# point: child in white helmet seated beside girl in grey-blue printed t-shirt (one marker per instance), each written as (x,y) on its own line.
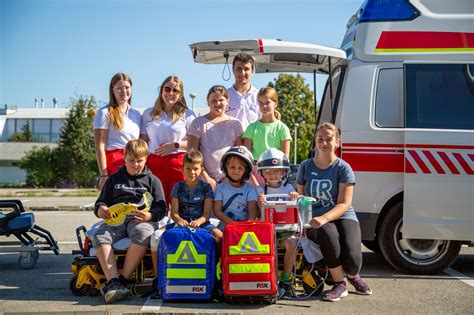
(274,166)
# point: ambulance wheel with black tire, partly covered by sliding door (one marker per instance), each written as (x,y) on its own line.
(415,256)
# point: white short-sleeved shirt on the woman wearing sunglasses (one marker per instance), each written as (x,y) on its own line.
(162,129)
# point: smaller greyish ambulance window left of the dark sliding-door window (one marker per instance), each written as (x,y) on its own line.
(388,104)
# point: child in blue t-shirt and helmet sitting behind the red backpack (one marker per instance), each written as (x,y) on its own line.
(235,199)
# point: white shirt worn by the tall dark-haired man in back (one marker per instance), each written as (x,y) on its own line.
(243,107)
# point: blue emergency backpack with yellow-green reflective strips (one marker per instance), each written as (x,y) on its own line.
(186,264)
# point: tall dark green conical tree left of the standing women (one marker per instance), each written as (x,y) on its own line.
(77,162)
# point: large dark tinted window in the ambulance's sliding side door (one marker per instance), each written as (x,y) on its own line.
(439,96)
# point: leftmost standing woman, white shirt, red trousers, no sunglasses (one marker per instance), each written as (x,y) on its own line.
(114,125)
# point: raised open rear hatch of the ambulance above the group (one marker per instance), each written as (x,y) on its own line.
(271,55)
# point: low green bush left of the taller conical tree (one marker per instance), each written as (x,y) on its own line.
(40,166)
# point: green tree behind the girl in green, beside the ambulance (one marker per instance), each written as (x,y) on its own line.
(296,105)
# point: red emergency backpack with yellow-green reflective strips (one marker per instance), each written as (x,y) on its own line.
(249,262)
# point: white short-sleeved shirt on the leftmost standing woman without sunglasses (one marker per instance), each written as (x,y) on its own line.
(118,139)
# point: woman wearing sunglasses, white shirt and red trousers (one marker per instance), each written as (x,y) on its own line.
(164,127)
